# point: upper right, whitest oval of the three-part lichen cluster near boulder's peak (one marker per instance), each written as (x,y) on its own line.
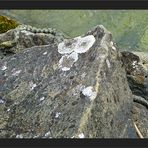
(84,44)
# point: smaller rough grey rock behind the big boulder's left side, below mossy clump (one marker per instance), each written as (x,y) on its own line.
(15,40)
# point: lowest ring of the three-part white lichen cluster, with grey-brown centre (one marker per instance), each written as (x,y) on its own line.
(67,61)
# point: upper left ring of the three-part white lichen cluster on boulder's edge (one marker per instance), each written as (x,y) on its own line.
(67,46)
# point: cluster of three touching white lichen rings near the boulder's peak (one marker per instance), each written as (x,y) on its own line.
(71,47)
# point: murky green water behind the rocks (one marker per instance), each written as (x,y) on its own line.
(129,27)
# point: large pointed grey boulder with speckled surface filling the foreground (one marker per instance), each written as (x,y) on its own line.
(90,100)
